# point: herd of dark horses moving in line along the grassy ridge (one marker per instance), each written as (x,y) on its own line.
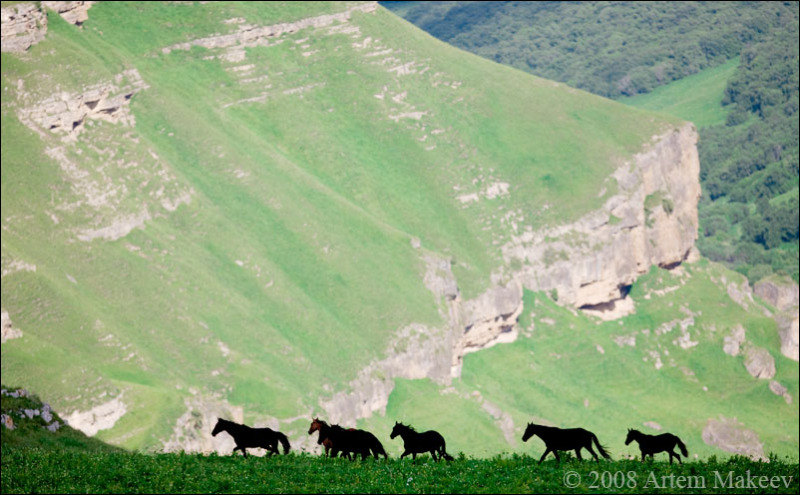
(351,442)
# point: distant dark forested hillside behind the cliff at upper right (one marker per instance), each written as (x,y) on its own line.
(677,58)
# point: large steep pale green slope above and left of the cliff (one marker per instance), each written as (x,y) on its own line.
(240,228)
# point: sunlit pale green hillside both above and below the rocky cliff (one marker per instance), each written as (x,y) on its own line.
(235,204)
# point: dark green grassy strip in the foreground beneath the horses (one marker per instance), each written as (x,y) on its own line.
(31,470)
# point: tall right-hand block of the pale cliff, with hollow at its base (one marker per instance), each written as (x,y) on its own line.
(651,221)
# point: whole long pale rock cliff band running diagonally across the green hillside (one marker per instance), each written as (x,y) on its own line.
(588,264)
